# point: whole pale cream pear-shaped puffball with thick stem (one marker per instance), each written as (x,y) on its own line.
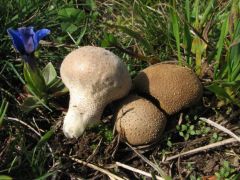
(95,77)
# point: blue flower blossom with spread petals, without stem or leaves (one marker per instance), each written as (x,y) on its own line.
(25,40)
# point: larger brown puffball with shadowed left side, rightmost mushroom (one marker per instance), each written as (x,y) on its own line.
(175,87)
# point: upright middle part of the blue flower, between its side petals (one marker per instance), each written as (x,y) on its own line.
(27,35)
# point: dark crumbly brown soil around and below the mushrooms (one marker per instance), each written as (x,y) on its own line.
(93,148)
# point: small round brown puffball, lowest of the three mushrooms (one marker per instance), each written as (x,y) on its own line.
(138,121)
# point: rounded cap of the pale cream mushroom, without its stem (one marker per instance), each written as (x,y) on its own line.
(97,72)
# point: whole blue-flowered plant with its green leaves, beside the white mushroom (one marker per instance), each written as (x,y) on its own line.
(41,85)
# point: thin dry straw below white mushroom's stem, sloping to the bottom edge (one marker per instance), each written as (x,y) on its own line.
(104,171)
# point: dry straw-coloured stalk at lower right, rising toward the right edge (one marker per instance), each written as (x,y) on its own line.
(203,148)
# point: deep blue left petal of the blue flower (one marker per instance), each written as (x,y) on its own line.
(17,40)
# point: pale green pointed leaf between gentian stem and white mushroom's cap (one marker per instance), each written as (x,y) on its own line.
(49,73)
